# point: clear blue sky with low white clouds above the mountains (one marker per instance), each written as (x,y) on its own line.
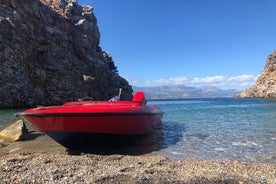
(223,43)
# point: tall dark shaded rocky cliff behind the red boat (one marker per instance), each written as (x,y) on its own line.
(47,49)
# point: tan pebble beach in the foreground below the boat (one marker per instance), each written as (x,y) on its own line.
(148,168)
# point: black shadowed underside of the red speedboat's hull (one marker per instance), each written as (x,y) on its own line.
(107,144)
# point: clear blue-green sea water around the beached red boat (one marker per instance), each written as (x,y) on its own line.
(221,129)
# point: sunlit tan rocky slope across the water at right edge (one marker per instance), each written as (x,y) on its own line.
(265,86)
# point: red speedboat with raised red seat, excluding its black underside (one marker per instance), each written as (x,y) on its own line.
(99,117)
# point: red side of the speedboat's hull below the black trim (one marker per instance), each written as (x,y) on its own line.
(106,123)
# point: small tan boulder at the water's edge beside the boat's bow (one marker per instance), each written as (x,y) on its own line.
(15,132)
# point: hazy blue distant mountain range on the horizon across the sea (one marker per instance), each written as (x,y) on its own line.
(181,91)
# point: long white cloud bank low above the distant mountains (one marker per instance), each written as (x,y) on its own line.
(238,82)
